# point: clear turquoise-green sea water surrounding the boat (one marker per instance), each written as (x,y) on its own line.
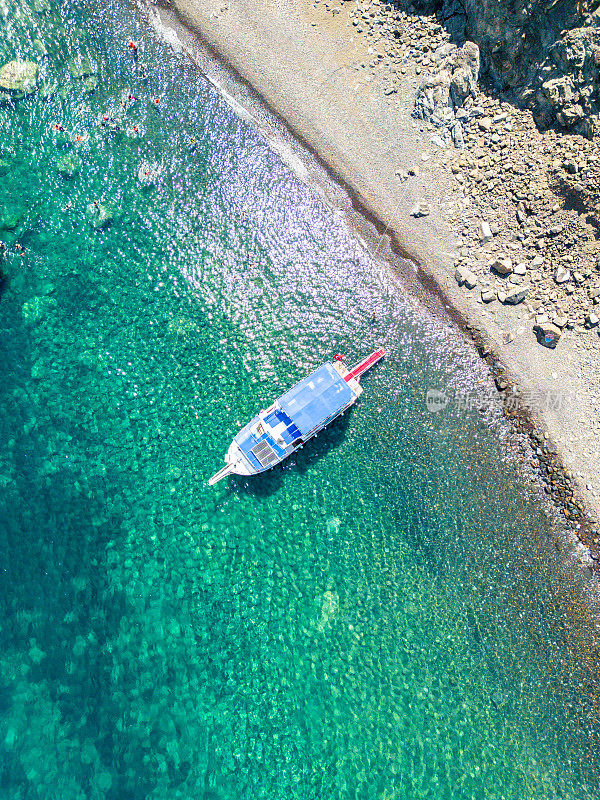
(380,618)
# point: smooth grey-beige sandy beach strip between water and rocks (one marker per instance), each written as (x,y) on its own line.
(317,71)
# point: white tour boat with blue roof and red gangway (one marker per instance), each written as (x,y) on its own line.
(295,417)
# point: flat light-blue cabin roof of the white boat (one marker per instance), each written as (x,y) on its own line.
(316,398)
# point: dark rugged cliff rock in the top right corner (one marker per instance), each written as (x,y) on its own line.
(544,53)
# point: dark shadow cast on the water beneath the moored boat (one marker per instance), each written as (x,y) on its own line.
(267,483)
